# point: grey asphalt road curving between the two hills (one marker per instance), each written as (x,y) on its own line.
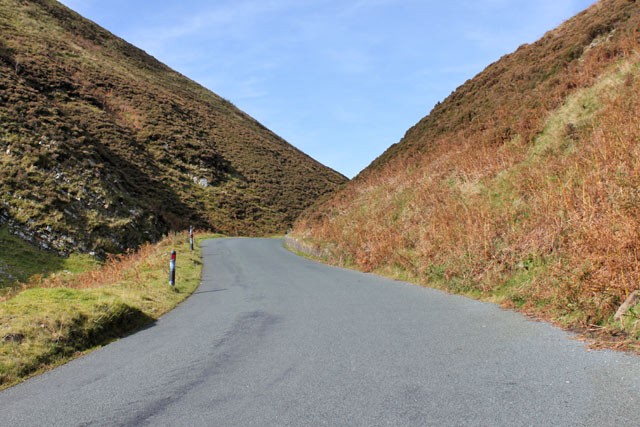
(272,339)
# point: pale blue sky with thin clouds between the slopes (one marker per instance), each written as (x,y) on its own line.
(341,80)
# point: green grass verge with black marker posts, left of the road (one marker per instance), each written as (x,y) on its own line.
(50,321)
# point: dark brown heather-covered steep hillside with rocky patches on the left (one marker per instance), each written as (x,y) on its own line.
(102,147)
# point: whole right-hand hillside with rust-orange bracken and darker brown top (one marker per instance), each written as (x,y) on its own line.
(521,187)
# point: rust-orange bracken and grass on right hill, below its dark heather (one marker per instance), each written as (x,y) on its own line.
(546,223)
